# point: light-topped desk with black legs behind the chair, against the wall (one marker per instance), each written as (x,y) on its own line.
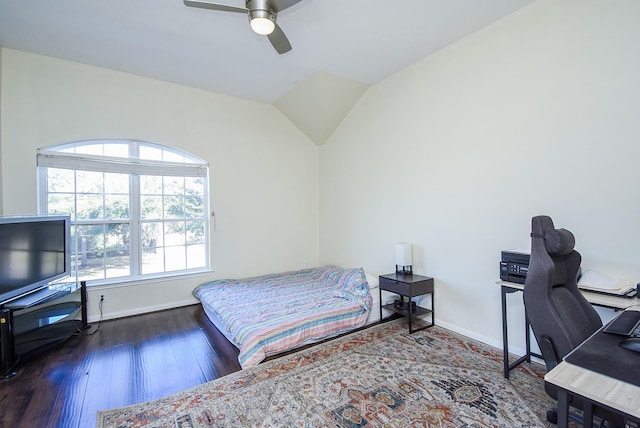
(597,299)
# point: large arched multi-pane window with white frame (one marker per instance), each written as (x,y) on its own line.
(137,209)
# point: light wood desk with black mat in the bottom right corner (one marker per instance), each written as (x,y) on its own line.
(596,389)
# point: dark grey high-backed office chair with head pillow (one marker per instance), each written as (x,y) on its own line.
(560,316)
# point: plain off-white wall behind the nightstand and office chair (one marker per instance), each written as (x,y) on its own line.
(535,114)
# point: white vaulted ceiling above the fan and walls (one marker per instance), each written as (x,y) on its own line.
(340,47)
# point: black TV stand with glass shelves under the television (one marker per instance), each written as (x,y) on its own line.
(33,324)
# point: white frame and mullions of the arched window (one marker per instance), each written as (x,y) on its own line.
(59,156)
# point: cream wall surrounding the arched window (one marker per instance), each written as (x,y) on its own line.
(263,170)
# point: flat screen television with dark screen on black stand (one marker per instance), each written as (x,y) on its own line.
(34,250)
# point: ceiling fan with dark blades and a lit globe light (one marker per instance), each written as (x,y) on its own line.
(262,17)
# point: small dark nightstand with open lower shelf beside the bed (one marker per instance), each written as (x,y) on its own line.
(408,286)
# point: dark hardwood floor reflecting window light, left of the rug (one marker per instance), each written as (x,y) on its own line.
(118,363)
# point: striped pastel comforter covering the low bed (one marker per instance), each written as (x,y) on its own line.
(270,314)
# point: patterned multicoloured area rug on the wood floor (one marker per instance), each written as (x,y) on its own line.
(378,377)
